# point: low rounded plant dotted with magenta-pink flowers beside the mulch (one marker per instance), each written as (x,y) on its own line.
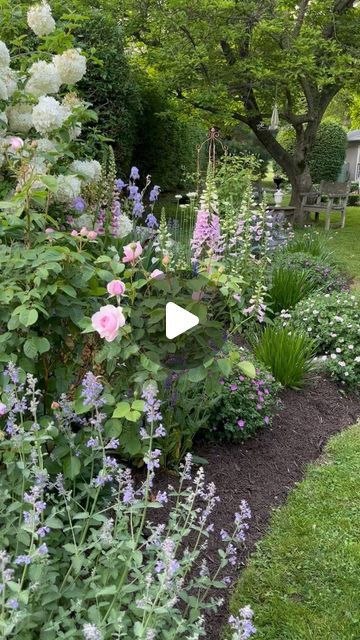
(245,406)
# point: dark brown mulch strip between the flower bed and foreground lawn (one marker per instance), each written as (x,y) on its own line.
(265,468)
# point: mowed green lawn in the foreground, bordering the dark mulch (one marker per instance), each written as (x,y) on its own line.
(303,582)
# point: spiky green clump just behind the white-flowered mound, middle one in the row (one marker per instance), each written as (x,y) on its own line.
(288,287)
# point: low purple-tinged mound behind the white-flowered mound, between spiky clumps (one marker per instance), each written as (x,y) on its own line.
(325,275)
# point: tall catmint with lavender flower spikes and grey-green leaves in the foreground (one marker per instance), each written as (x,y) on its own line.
(81,556)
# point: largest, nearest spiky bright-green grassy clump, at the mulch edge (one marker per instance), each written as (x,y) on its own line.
(288,355)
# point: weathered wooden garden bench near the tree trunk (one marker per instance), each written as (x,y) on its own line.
(330,197)
